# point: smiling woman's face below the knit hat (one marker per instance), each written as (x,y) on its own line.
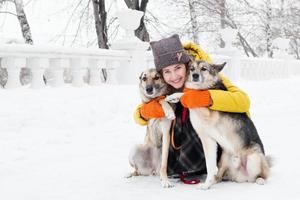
(175,75)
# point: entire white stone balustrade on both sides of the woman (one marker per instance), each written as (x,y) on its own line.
(123,62)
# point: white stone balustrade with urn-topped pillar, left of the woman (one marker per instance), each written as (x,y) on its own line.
(123,62)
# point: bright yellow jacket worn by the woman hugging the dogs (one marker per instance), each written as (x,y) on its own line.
(233,100)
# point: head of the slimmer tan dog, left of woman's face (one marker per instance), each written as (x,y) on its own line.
(152,85)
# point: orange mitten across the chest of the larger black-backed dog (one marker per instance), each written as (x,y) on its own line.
(195,98)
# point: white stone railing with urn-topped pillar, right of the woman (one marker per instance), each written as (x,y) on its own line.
(240,67)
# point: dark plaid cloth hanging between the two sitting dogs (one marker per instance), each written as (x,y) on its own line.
(187,156)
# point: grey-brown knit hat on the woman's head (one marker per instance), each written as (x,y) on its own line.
(168,51)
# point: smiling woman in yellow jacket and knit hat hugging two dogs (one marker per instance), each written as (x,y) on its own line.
(186,154)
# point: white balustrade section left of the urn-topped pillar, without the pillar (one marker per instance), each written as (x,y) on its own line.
(57,59)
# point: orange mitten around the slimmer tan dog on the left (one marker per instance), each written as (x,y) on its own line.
(152,109)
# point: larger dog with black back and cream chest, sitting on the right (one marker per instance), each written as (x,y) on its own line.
(243,158)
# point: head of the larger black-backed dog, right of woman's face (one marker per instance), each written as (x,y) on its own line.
(203,75)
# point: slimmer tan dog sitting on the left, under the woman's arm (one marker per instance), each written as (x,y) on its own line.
(151,157)
